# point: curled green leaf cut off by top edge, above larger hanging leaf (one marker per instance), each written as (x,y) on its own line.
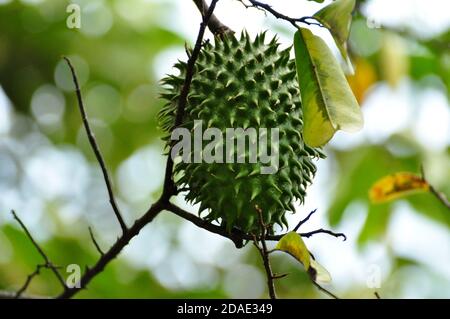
(337,18)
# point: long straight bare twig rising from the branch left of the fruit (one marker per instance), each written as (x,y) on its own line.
(95,148)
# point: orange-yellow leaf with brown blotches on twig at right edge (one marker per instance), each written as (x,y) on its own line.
(397,185)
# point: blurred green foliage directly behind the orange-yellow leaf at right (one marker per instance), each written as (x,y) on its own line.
(374,162)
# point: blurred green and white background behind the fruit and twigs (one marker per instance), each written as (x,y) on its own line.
(124,47)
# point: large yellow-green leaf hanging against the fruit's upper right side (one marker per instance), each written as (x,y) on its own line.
(328,102)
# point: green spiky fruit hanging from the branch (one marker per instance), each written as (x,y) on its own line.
(242,84)
